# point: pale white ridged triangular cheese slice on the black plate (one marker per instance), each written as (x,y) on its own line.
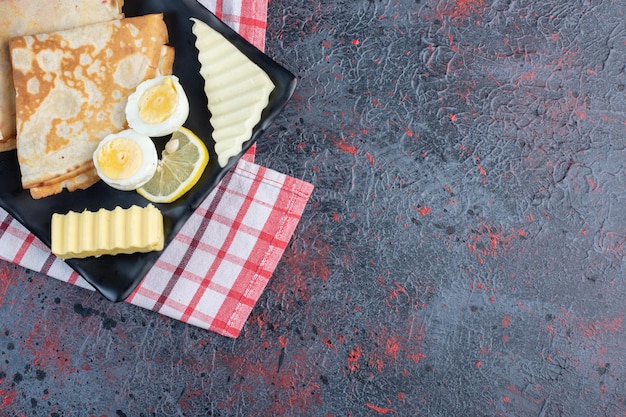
(237,90)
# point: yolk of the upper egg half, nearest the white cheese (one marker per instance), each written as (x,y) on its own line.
(158,102)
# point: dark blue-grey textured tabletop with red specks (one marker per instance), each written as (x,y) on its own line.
(462,254)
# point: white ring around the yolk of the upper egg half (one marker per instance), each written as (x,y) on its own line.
(172,123)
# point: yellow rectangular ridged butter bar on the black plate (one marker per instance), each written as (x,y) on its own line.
(107,232)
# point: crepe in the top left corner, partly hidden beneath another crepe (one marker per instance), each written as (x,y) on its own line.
(25,17)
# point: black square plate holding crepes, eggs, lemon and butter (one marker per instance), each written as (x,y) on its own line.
(117,276)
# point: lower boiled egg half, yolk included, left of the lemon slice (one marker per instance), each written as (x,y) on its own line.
(126,160)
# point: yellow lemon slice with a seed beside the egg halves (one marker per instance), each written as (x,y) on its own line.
(182,163)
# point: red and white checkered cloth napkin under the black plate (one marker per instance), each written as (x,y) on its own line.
(215,269)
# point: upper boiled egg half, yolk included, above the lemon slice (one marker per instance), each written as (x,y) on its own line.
(158,106)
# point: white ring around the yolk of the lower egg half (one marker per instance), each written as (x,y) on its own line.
(148,165)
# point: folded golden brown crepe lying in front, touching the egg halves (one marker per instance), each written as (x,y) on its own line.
(72,87)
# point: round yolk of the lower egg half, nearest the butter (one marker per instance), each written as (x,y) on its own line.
(120,158)
